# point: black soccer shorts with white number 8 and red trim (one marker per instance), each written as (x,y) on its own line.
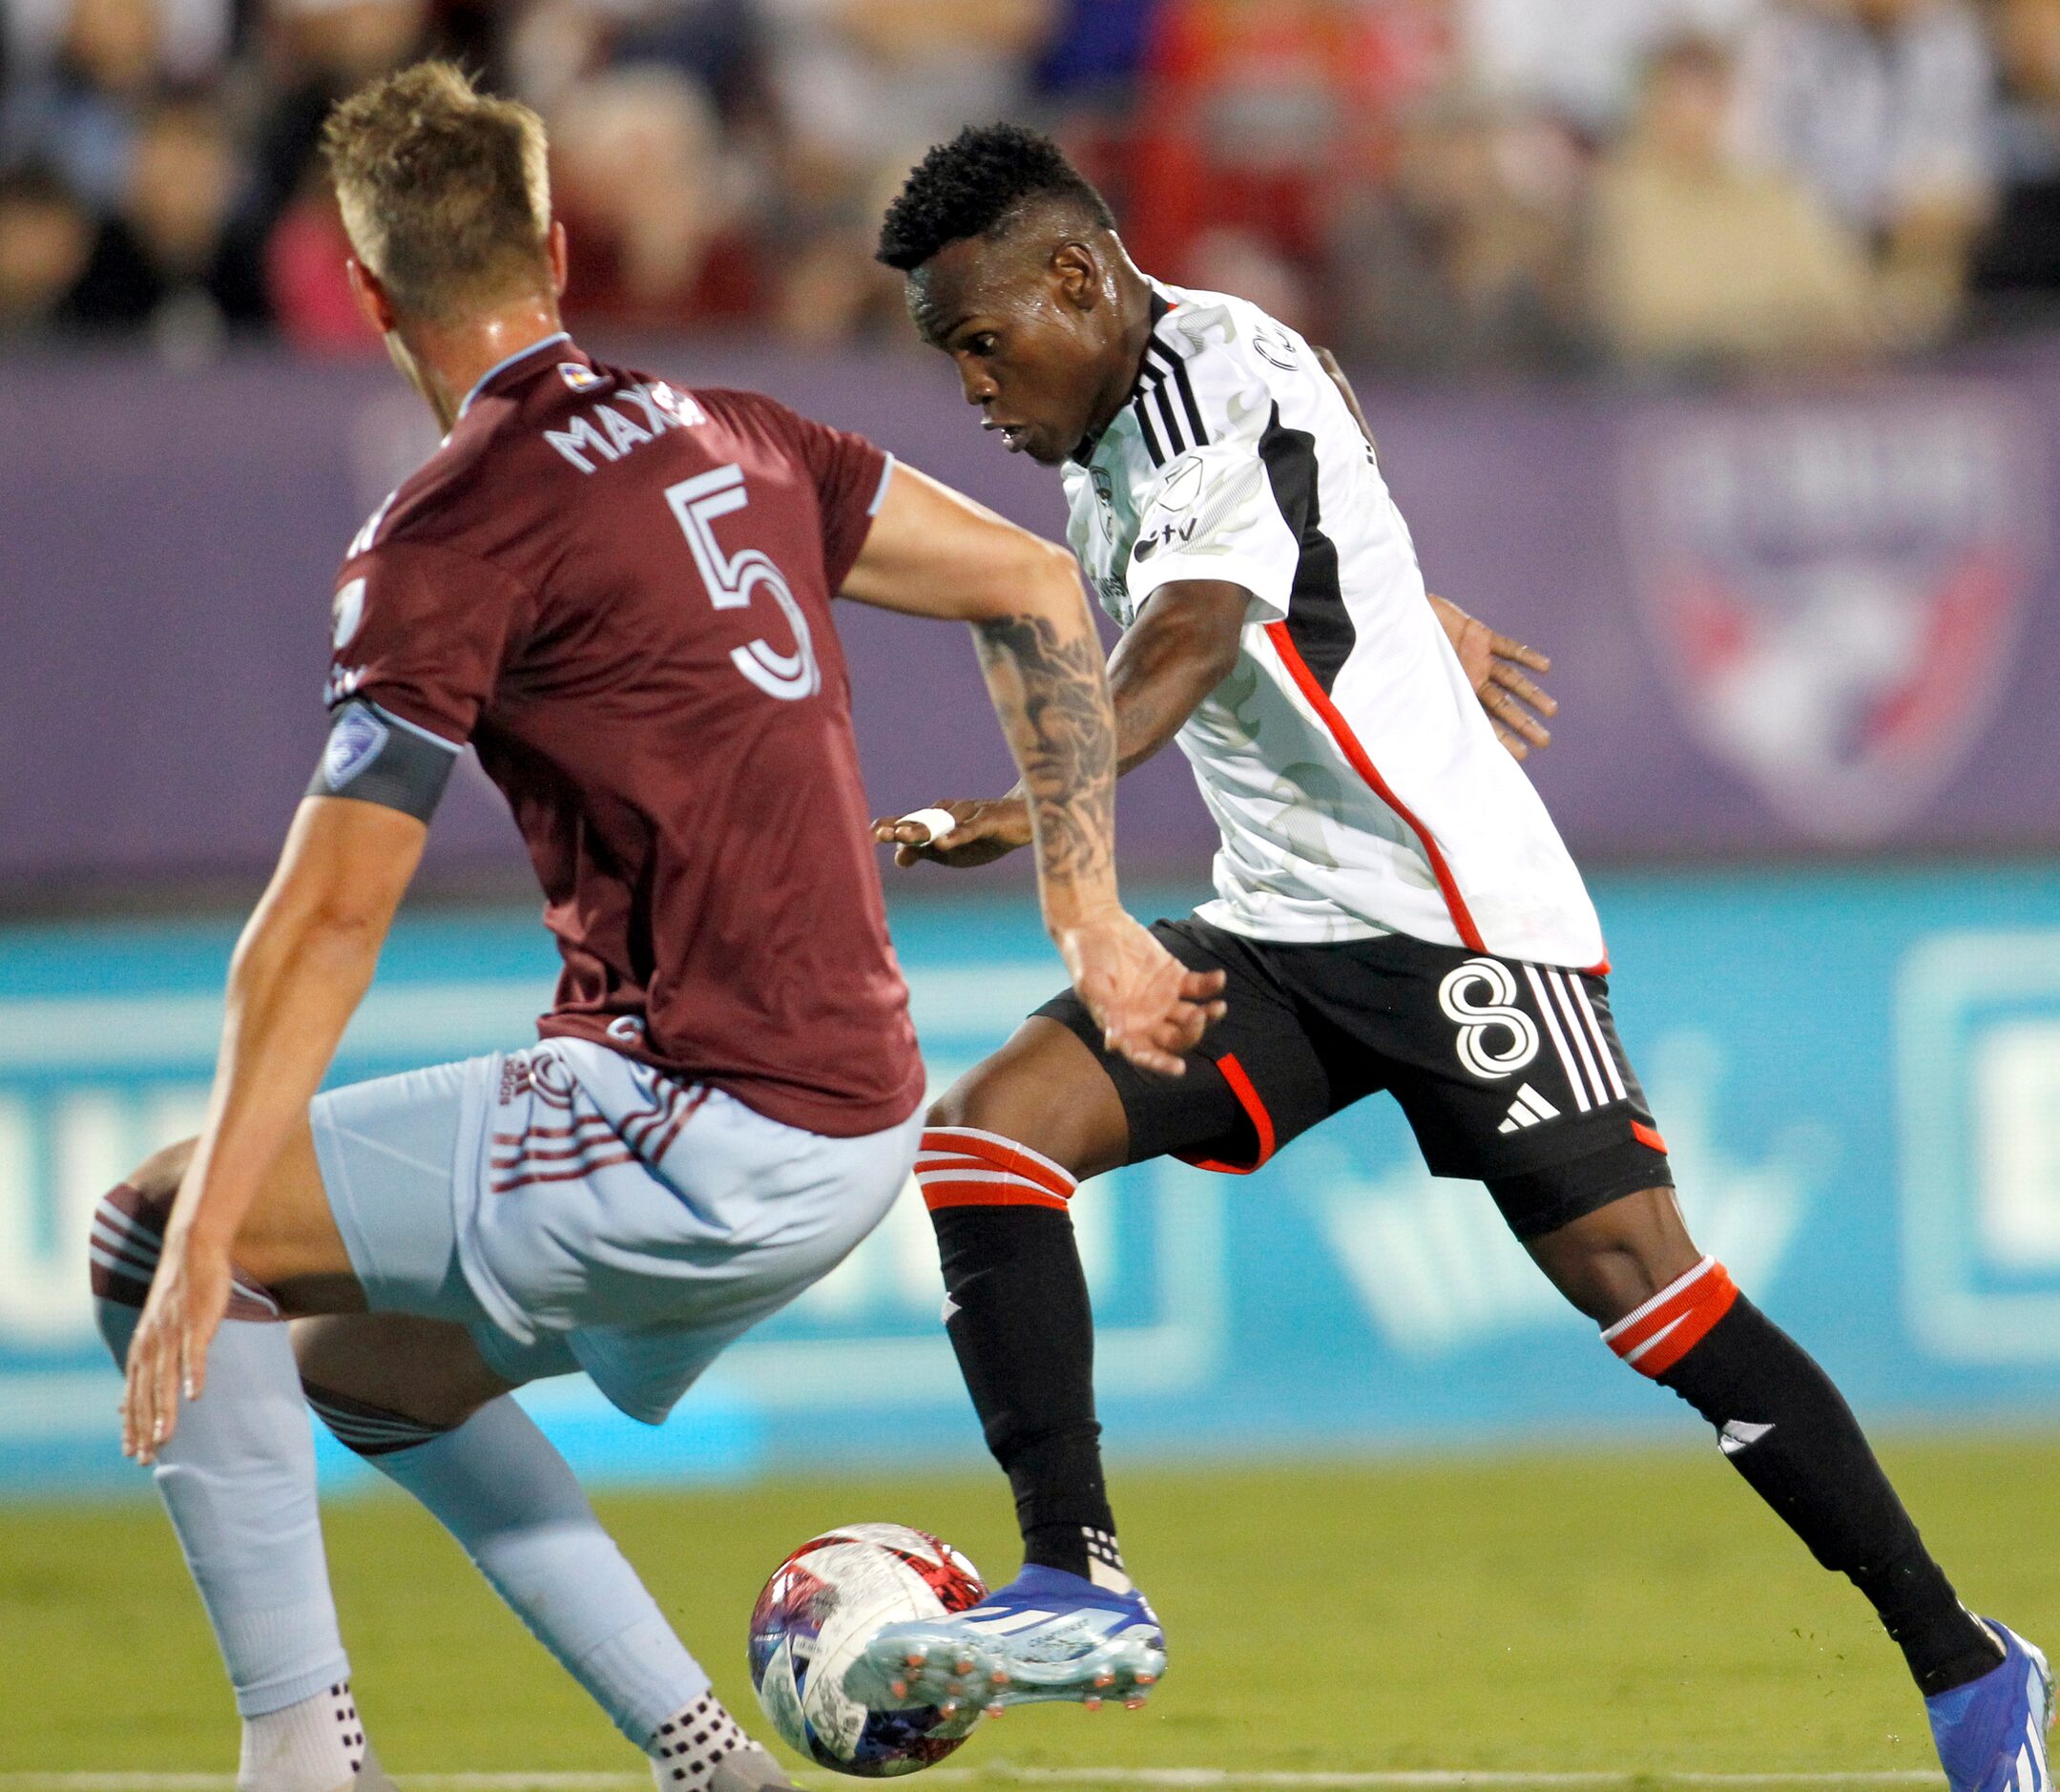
(1509,1072)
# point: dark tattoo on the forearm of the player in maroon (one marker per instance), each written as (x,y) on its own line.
(1054,701)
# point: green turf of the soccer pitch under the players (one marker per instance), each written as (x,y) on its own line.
(1604,1612)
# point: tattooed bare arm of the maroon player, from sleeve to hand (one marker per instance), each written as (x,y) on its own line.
(934,553)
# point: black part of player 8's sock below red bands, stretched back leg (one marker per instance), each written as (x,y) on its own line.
(1816,1470)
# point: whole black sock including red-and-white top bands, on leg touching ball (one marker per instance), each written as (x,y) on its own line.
(1017,1309)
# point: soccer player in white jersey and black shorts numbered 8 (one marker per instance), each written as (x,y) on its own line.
(1394,911)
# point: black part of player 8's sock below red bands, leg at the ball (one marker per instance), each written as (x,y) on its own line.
(1025,1340)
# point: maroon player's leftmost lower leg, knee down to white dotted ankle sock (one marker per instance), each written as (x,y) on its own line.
(238,1480)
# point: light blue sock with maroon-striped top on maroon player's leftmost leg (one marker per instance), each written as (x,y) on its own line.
(238,1480)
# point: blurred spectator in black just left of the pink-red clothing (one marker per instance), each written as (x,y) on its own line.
(168,261)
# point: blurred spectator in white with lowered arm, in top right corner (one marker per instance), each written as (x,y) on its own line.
(1888,112)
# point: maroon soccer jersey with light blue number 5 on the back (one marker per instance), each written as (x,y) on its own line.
(619,594)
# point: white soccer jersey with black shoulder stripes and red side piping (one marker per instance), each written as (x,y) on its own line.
(1354,778)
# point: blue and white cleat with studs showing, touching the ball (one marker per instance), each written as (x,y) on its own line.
(1043,1639)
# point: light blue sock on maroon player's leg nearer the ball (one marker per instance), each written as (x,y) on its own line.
(508,1496)
